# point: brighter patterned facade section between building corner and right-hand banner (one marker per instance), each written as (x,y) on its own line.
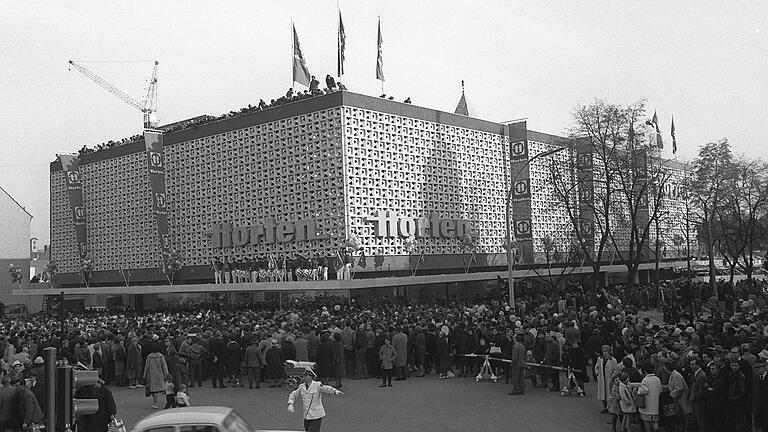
(415,168)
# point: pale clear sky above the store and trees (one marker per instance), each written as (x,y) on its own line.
(705,62)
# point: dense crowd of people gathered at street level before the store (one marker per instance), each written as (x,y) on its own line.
(703,364)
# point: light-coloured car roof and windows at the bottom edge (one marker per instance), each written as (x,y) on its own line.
(195,419)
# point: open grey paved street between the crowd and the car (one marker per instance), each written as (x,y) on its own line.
(419,404)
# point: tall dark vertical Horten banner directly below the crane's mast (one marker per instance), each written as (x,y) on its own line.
(156,169)
